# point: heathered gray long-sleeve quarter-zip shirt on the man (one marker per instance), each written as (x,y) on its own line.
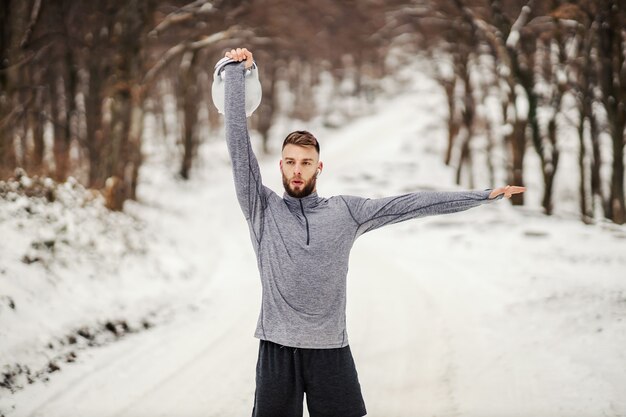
(302,245)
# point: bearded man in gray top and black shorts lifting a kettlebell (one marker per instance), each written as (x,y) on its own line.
(302,243)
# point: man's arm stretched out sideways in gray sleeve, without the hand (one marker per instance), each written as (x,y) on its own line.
(370,214)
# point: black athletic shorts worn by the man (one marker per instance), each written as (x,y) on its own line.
(327,376)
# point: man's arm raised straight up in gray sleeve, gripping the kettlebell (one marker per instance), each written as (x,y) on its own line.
(248,185)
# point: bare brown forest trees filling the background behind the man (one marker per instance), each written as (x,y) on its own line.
(78,79)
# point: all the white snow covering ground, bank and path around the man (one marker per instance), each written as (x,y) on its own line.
(499,310)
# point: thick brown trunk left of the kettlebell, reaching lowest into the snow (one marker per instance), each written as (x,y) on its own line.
(114,131)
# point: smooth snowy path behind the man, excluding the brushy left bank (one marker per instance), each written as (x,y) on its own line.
(489,312)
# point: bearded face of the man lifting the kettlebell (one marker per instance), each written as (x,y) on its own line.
(299,169)
